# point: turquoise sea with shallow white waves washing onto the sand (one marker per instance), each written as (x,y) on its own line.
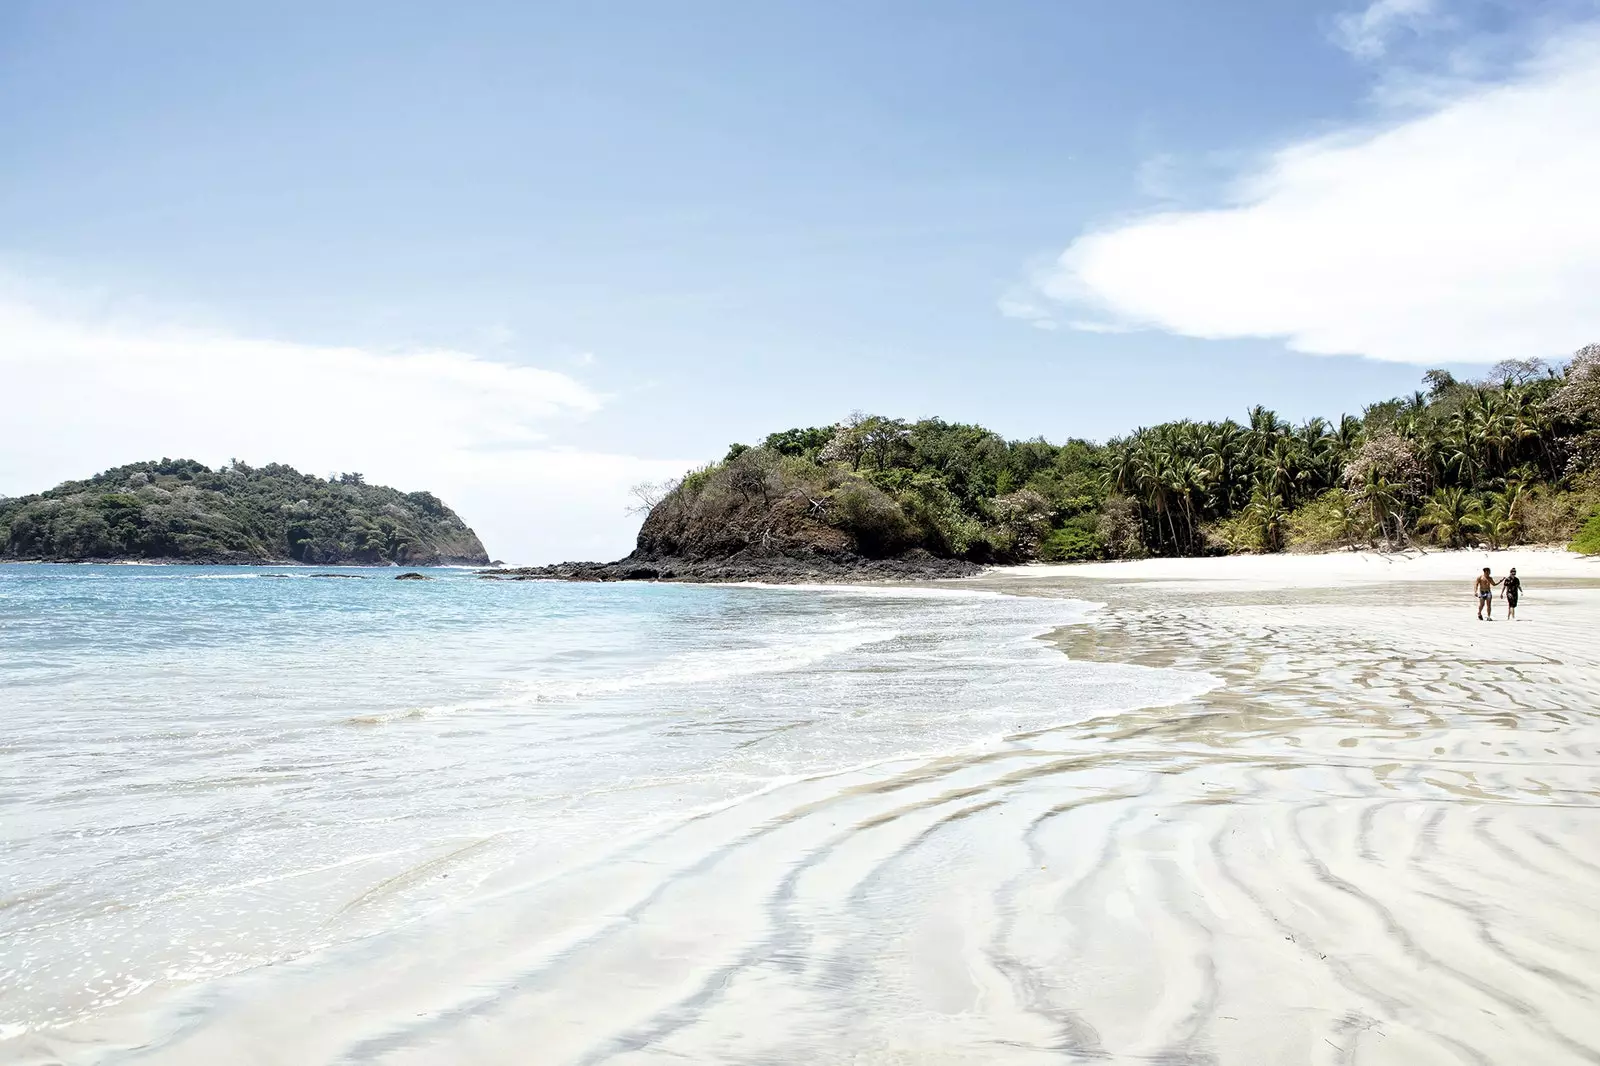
(206,771)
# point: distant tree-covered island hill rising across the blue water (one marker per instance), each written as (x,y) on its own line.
(180,510)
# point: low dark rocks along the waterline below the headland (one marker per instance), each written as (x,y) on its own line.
(772,569)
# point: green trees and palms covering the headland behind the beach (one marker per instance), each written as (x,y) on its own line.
(1513,459)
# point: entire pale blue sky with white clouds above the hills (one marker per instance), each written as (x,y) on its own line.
(529,255)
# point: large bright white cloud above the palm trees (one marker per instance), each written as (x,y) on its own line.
(1465,234)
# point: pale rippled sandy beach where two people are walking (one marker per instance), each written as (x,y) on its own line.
(1377,841)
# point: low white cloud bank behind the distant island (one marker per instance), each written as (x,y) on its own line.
(84,393)
